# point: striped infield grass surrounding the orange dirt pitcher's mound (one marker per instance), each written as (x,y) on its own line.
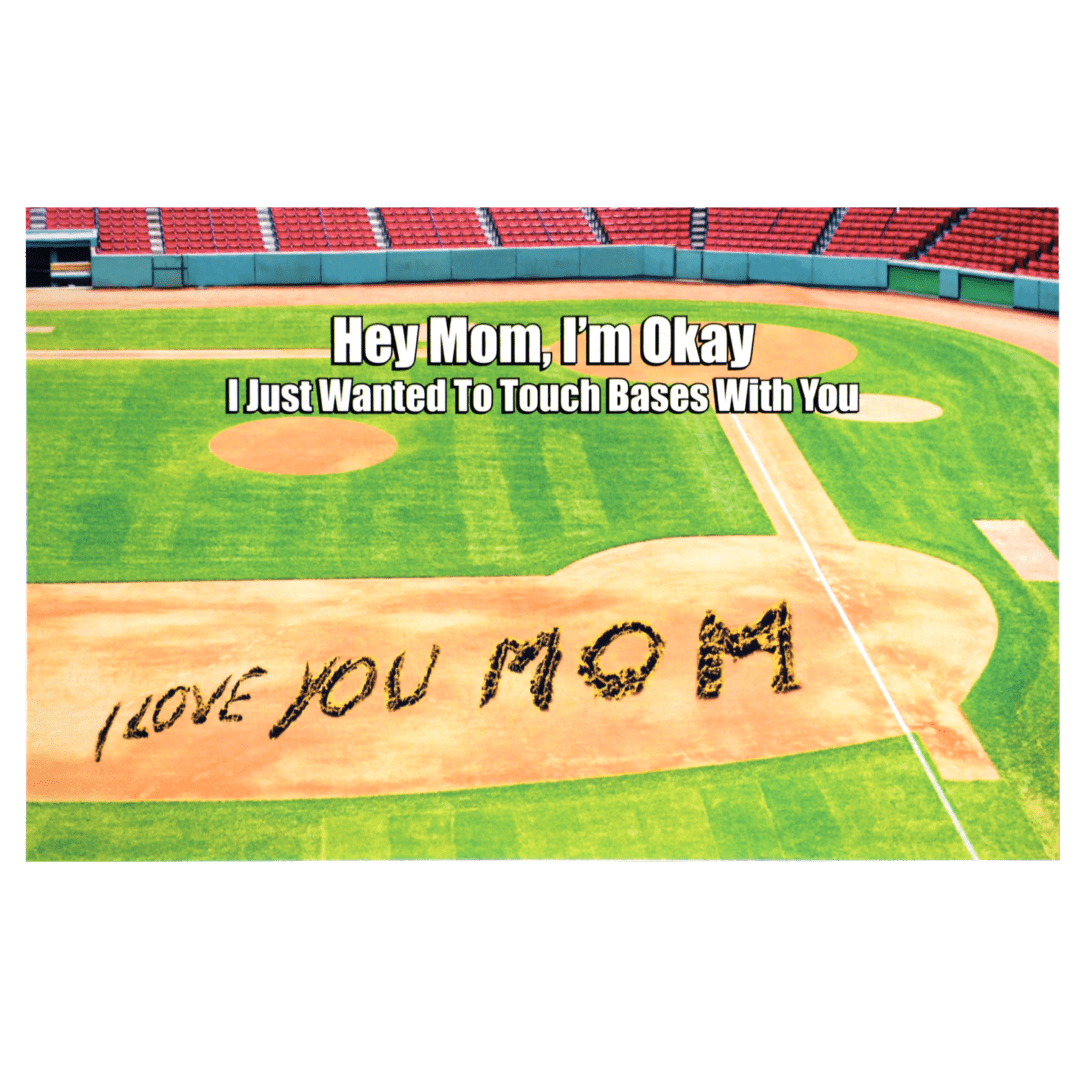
(124,487)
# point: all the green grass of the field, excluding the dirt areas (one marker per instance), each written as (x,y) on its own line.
(121,488)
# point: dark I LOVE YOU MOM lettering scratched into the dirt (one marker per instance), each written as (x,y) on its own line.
(772,633)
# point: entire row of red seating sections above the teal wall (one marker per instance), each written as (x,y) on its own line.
(1021,240)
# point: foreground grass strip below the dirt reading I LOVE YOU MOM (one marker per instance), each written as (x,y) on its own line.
(866,802)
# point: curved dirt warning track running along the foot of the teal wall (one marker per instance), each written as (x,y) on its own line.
(1030,330)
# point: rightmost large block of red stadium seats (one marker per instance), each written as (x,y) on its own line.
(1005,239)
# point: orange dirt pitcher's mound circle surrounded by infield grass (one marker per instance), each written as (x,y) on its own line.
(303,445)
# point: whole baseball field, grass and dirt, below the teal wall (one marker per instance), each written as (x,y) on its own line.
(359,613)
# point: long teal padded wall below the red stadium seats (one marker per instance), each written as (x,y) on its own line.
(531,264)
